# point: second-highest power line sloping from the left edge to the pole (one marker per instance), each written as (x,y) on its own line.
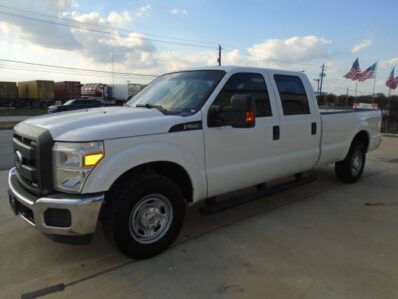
(104,32)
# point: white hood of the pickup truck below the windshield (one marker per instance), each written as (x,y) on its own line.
(104,123)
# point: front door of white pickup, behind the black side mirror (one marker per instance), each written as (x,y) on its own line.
(241,157)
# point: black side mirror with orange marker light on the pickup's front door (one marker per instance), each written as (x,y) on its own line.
(240,114)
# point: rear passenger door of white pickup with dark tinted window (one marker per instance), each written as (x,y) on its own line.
(299,121)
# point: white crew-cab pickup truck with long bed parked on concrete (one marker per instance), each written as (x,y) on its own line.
(188,136)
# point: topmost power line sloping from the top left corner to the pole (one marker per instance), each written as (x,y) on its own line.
(103,26)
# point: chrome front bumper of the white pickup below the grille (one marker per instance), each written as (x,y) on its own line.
(83,209)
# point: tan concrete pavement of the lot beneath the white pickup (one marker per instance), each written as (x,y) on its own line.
(321,240)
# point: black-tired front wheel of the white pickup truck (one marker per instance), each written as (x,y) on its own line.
(123,204)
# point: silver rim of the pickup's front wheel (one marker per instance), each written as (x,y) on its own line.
(150,218)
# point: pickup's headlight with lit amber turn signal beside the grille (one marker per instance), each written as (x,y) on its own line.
(73,162)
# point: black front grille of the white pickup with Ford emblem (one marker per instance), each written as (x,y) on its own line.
(33,158)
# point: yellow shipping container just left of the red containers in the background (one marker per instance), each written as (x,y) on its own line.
(36,90)
